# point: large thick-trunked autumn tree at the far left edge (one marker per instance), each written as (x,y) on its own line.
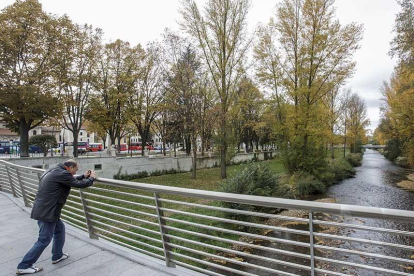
(28,54)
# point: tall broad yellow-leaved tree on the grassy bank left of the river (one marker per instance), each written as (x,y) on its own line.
(314,56)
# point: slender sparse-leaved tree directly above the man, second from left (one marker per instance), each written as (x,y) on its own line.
(76,73)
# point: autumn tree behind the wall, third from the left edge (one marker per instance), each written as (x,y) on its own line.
(115,82)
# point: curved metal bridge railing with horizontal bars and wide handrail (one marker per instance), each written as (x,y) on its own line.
(229,234)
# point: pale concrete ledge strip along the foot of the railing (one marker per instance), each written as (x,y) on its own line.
(134,256)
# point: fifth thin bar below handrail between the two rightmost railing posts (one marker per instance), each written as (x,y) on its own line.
(239,253)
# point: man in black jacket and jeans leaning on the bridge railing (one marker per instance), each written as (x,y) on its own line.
(54,189)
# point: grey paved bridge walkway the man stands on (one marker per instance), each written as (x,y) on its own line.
(87,257)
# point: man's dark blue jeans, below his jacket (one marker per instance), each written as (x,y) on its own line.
(47,231)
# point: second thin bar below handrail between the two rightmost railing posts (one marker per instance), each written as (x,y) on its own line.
(250,224)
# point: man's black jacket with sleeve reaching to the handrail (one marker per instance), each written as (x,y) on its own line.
(54,188)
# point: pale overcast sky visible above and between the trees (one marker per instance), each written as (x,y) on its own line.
(140,21)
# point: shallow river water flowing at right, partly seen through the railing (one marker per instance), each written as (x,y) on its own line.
(375,185)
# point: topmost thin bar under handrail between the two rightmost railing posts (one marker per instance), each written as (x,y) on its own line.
(234,211)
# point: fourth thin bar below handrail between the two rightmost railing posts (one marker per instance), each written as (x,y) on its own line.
(259,247)
